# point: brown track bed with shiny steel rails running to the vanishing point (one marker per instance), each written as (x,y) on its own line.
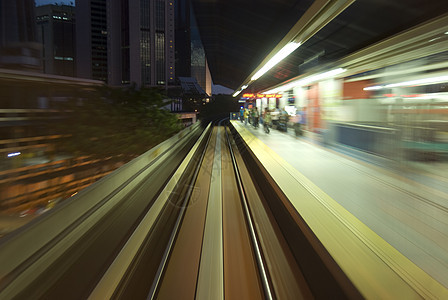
(223,242)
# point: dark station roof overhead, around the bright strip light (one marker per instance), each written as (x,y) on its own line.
(239,34)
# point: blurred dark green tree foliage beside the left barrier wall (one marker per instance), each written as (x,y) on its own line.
(117,122)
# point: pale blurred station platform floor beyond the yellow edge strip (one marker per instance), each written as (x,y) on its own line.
(406,208)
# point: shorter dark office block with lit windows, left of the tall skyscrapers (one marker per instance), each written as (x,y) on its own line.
(56,33)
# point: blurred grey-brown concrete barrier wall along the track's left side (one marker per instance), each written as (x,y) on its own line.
(19,246)
